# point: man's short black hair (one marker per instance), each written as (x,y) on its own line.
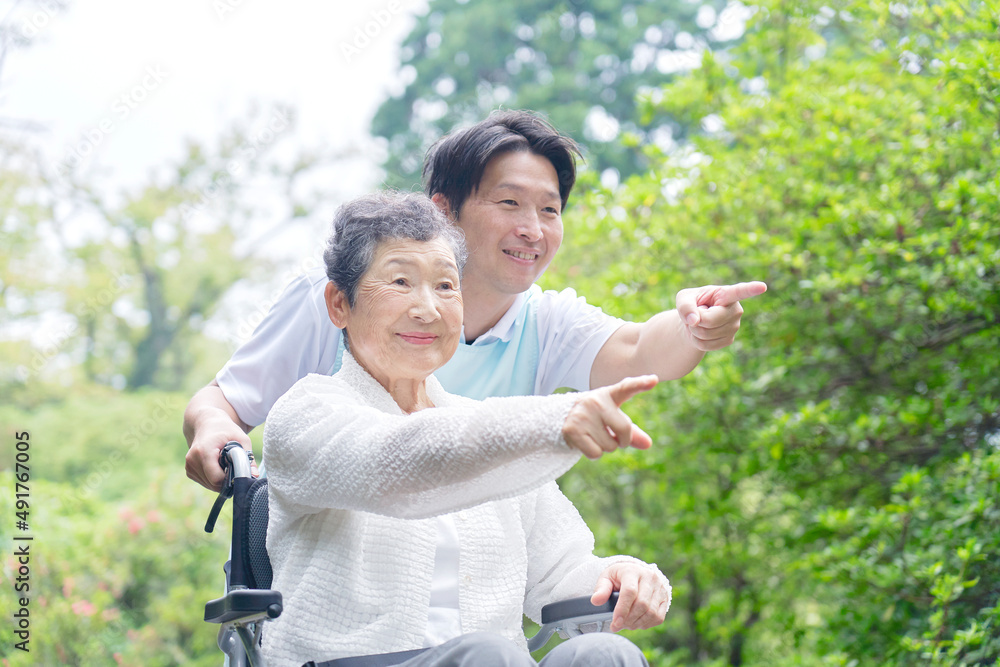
(454,165)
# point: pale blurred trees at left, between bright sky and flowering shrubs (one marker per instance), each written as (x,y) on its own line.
(123,301)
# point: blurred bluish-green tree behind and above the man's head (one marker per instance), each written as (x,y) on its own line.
(565,59)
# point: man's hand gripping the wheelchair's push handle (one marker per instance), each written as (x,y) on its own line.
(209,423)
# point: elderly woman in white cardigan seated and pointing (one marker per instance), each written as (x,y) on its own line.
(404,517)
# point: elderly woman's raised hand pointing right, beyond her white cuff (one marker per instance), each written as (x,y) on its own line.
(596,424)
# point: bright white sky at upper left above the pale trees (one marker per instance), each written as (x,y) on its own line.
(136,78)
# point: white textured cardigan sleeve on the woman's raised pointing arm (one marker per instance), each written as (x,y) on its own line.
(326,447)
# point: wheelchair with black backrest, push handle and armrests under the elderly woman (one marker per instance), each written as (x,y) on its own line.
(249,601)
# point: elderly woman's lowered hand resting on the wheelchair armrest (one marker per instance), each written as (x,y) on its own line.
(643,595)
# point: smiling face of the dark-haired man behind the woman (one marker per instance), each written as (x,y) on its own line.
(512,224)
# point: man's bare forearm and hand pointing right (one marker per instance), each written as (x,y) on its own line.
(670,344)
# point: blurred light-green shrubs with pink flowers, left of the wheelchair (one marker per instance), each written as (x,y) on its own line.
(121,566)
